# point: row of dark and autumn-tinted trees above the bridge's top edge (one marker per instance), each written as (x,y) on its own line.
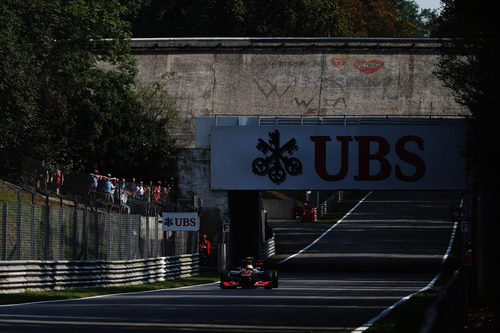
(282,18)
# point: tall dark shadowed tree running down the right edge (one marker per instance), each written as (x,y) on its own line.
(469,66)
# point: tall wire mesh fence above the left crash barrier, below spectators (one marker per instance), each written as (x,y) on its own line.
(31,232)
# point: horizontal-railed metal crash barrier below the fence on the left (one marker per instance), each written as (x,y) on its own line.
(20,275)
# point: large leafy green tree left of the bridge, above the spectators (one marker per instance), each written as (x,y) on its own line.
(68,86)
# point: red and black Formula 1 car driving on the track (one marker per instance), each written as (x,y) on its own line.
(251,274)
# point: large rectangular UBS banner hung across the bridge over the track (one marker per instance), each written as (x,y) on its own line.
(427,156)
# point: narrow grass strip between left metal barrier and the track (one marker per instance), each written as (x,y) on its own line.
(206,276)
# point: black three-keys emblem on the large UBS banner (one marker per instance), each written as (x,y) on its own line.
(277,160)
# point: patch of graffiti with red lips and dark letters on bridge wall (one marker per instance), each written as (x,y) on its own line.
(351,77)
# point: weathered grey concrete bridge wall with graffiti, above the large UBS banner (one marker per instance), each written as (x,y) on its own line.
(308,77)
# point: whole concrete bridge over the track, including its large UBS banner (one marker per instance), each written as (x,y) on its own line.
(374,92)
